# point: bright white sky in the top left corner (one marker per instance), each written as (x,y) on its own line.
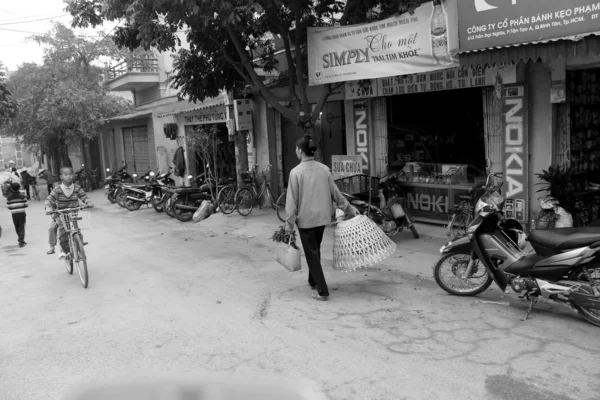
(32,17)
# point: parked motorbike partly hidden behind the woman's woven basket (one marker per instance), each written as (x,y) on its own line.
(391,215)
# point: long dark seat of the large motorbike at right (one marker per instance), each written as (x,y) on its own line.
(564,238)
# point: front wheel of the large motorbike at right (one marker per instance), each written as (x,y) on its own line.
(458,264)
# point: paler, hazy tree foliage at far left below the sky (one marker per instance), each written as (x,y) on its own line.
(63,100)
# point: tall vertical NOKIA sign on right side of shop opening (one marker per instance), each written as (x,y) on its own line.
(515,152)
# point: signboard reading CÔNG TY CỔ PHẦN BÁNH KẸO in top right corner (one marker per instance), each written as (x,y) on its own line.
(492,23)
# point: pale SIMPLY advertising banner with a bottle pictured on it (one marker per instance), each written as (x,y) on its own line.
(405,44)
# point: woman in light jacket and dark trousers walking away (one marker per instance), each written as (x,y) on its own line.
(309,205)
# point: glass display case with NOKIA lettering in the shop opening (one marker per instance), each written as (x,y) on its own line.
(433,191)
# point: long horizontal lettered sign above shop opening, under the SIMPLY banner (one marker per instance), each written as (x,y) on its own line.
(454,78)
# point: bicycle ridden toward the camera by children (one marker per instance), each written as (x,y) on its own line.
(76,255)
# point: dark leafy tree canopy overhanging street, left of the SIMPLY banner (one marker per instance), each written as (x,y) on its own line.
(229,39)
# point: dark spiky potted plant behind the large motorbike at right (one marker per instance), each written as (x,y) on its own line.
(556,182)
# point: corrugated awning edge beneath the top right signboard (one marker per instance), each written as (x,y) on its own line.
(570,47)
